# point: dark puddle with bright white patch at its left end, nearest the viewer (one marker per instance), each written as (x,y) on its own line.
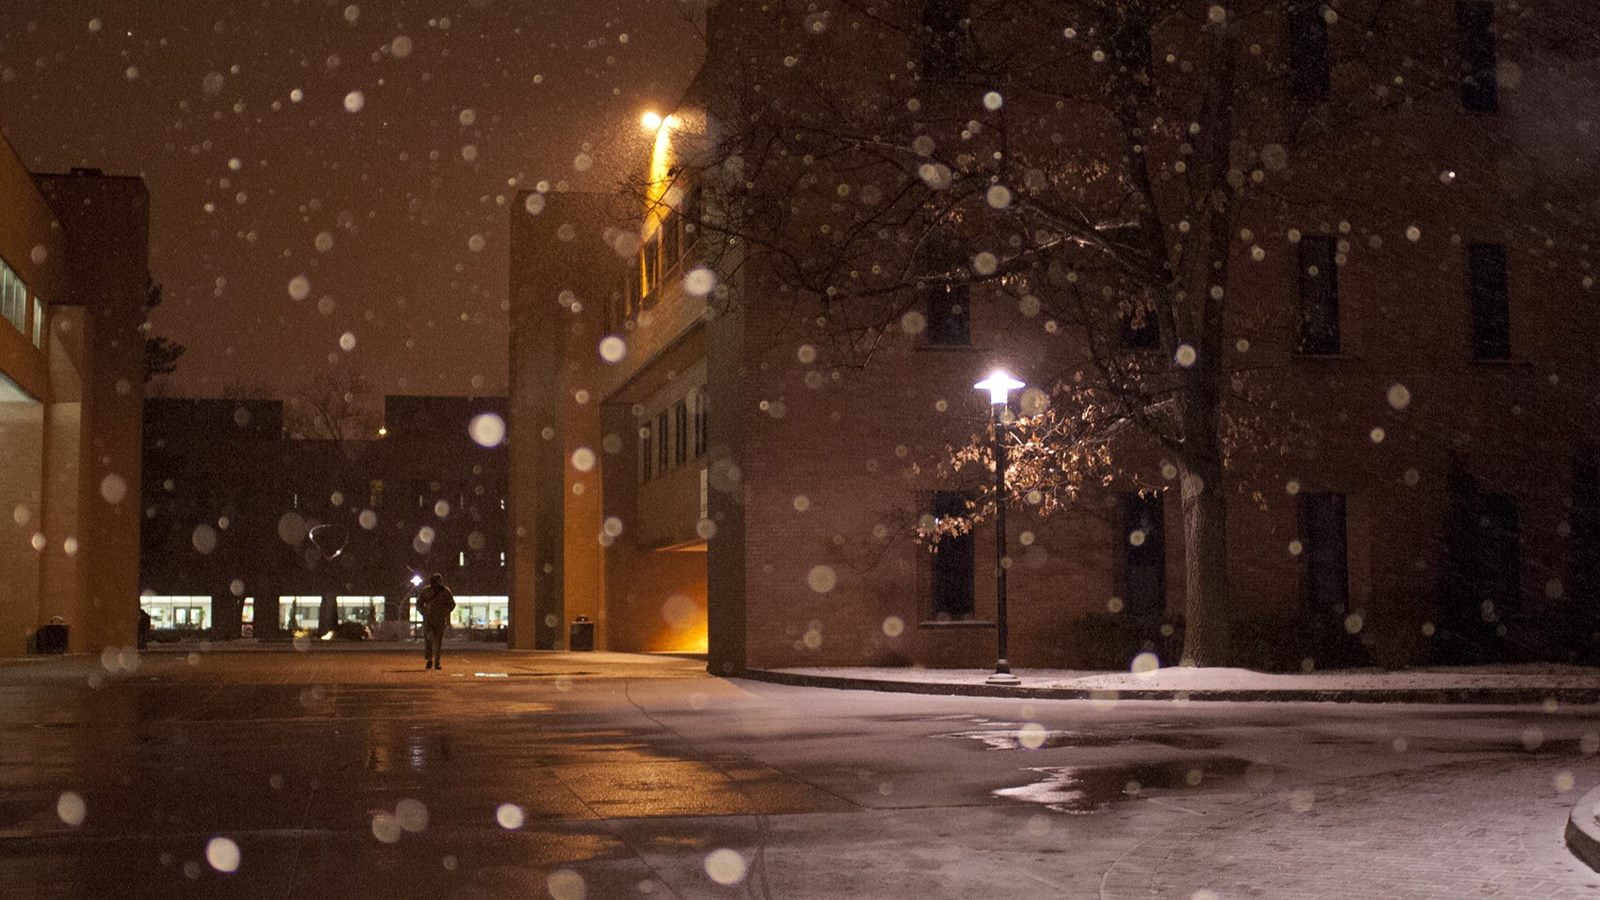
(1094,789)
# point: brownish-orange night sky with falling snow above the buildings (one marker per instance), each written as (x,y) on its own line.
(330,182)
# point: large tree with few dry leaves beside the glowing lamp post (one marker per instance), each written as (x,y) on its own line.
(1087,161)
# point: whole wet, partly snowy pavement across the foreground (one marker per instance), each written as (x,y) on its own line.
(354,773)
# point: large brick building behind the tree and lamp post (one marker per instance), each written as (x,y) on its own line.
(692,467)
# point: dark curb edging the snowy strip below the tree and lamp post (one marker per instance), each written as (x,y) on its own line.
(1473,696)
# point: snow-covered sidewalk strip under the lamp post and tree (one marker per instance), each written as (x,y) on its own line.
(1514,685)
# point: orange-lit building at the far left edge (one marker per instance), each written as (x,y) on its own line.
(74,265)
